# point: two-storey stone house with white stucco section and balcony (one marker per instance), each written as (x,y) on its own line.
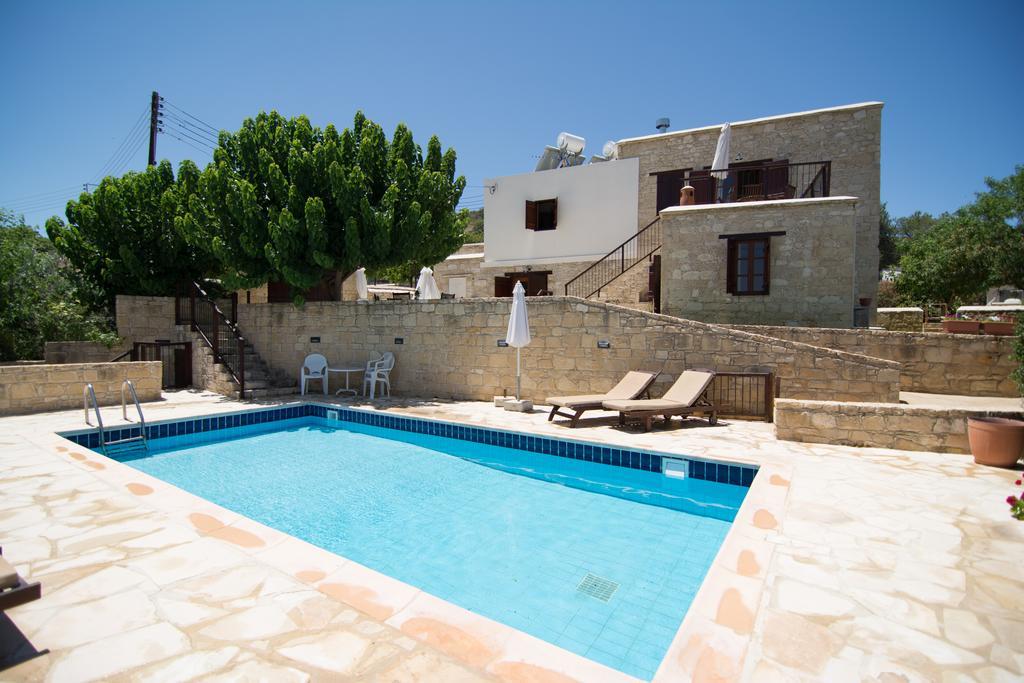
(786,235)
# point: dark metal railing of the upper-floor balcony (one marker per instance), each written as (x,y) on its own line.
(780,181)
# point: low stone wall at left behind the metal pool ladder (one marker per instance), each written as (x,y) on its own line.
(40,389)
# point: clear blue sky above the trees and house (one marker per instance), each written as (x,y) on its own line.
(498,81)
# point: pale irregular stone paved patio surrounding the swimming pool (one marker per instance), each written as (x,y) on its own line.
(844,565)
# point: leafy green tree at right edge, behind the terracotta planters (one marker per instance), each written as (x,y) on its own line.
(965,253)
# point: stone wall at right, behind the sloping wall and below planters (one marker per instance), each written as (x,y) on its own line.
(931,362)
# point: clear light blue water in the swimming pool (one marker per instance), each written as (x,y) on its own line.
(506,534)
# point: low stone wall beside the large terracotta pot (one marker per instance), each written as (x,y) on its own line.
(879,425)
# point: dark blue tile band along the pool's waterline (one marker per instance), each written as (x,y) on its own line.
(733,474)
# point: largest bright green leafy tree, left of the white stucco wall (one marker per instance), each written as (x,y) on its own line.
(284,201)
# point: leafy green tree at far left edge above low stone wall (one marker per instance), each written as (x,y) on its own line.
(40,295)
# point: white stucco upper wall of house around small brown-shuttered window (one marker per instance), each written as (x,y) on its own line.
(598,210)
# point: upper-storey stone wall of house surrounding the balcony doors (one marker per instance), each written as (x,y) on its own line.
(849,137)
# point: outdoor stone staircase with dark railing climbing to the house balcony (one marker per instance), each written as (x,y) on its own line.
(599,280)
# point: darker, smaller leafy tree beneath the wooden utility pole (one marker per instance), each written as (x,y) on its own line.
(122,237)
